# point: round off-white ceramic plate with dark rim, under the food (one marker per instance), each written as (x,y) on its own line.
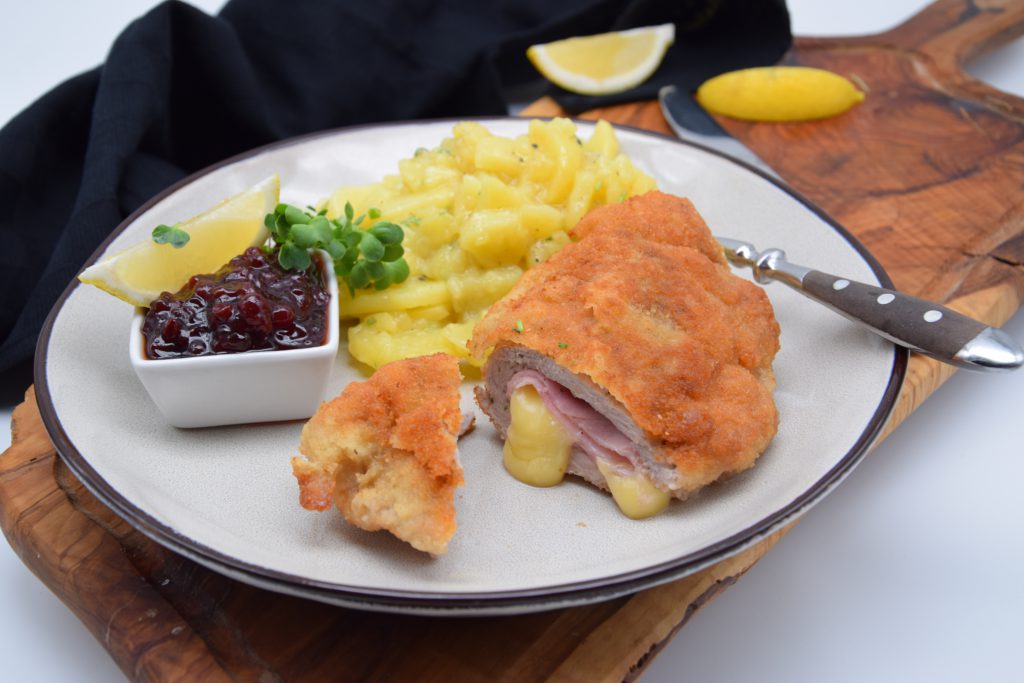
(227,498)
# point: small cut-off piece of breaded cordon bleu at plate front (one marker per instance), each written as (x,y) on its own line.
(385,452)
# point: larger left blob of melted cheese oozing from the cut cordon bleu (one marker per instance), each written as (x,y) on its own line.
(537,451)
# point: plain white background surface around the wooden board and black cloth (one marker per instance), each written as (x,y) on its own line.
(911,571)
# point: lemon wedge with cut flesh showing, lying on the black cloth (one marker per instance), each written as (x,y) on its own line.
(607,63)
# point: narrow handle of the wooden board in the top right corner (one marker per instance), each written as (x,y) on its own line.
(960,30)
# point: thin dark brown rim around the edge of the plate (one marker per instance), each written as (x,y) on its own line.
(457,604)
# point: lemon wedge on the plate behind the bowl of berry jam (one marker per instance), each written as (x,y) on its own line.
(139,275)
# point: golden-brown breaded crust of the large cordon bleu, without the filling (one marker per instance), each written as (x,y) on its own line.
(647,308)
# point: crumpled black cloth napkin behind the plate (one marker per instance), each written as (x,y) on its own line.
(182,91)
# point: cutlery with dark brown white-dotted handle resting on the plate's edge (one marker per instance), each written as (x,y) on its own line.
(921,326)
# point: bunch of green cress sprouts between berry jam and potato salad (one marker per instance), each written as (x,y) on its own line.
(363,259)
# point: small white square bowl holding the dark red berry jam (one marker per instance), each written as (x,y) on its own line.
(241,389)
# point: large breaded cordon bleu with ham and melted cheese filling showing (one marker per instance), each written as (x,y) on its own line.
(633,358)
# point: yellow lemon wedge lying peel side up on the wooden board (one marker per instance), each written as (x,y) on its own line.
(779,94)
